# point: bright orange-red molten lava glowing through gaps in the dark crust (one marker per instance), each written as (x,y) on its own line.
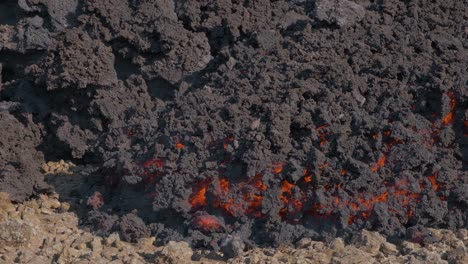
(245,197)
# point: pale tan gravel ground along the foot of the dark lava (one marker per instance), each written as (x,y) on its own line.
(43,230)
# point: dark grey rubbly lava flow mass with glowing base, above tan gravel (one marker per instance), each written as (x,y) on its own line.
(267,120)
